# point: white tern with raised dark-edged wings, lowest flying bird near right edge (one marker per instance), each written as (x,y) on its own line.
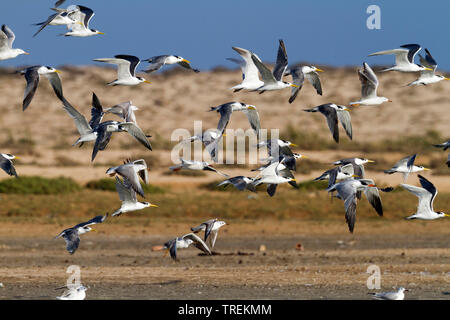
(426,196)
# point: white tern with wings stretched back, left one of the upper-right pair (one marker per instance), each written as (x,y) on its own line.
(404,58)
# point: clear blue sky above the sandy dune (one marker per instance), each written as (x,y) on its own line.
(203,31)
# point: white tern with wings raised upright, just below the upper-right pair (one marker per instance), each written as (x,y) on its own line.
(369,86)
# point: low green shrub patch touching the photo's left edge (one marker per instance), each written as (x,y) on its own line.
(38,185)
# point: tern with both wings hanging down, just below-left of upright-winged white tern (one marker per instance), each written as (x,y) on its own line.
(333,113)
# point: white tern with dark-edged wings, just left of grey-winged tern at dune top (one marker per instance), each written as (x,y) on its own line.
(126,68)
